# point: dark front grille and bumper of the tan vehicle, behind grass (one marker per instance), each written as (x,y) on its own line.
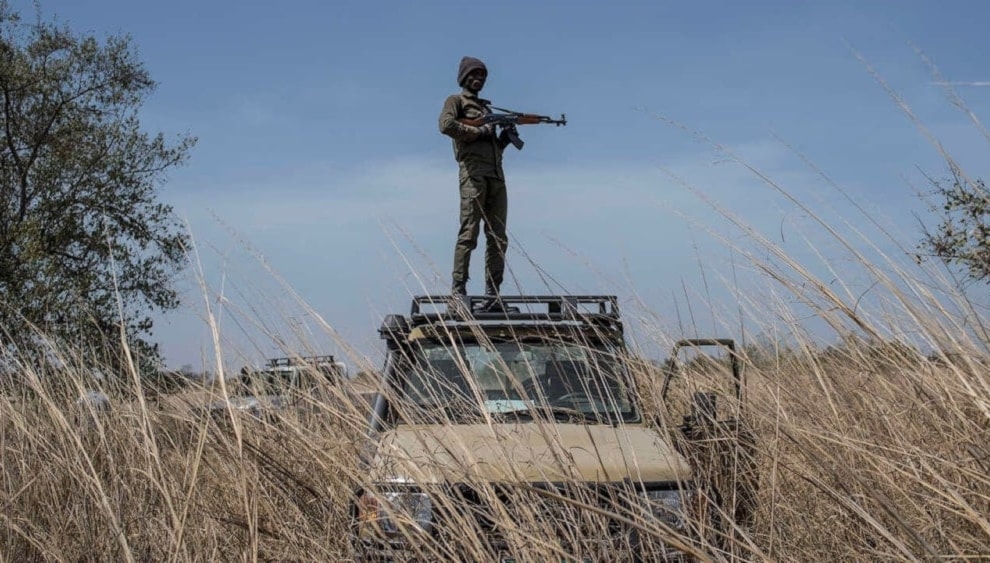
(524,522)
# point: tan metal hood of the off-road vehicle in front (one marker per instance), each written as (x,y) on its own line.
(526,452)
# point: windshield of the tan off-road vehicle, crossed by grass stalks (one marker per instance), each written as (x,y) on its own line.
(519,379)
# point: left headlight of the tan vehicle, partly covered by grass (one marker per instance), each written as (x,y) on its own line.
(394,512)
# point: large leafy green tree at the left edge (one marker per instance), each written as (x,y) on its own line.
(87,252)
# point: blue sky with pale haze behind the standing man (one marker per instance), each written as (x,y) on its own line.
(319,152)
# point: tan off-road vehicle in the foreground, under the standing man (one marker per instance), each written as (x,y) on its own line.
(518,434)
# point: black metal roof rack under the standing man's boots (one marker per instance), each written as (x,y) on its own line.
(597,309)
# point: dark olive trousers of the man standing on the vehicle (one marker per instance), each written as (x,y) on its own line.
(483,200)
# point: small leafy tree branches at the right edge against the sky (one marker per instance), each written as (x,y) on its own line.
(962,237)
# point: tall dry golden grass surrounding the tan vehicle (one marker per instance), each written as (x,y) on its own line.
(865,451)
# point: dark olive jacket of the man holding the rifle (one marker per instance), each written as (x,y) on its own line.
(476,157)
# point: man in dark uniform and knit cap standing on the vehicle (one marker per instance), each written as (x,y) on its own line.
(478,152)
